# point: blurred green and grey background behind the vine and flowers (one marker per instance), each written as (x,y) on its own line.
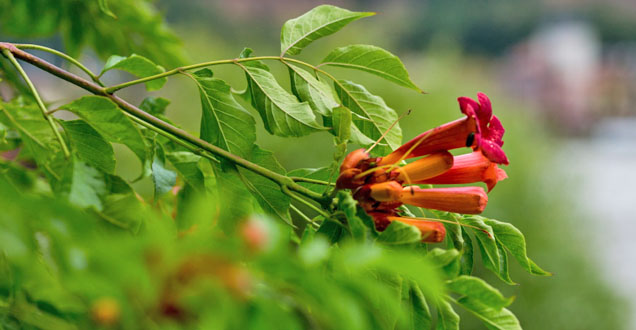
(561,76)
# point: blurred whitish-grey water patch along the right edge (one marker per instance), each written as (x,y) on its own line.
(604,167)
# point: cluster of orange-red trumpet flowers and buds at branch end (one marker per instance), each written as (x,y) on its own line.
(381,185)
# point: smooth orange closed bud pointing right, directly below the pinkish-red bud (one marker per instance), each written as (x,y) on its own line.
(467,200)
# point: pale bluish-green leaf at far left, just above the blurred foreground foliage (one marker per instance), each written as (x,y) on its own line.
(83,185)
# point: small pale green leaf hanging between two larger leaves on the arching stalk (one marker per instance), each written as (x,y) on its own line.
(311,90)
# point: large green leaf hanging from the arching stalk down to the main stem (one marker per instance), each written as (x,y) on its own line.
(224,123)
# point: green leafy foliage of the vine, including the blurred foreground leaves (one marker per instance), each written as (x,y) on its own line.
(216,246)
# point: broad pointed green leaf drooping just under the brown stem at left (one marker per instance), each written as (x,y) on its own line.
(107,119)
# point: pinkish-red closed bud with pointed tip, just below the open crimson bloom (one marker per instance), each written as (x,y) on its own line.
(470,168)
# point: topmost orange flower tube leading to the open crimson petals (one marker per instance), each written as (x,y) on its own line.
(456,134)
